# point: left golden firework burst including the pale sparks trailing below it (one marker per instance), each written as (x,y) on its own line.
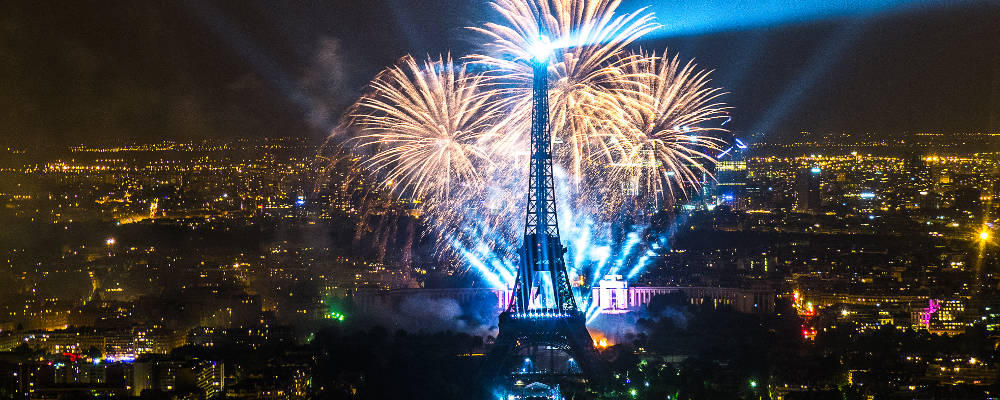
(427,132)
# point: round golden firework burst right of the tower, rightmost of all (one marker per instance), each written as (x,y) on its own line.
(661,125)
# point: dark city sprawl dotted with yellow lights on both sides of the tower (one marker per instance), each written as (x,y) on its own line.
(118,266)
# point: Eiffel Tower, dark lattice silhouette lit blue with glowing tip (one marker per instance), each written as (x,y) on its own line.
(543,338)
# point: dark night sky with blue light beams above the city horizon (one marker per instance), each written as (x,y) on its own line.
(73,71)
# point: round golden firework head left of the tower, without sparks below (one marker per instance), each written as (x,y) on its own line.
(427,125)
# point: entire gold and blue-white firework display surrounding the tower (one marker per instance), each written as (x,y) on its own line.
(630,131)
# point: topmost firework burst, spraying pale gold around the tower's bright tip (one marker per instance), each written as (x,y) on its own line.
(589,36)
